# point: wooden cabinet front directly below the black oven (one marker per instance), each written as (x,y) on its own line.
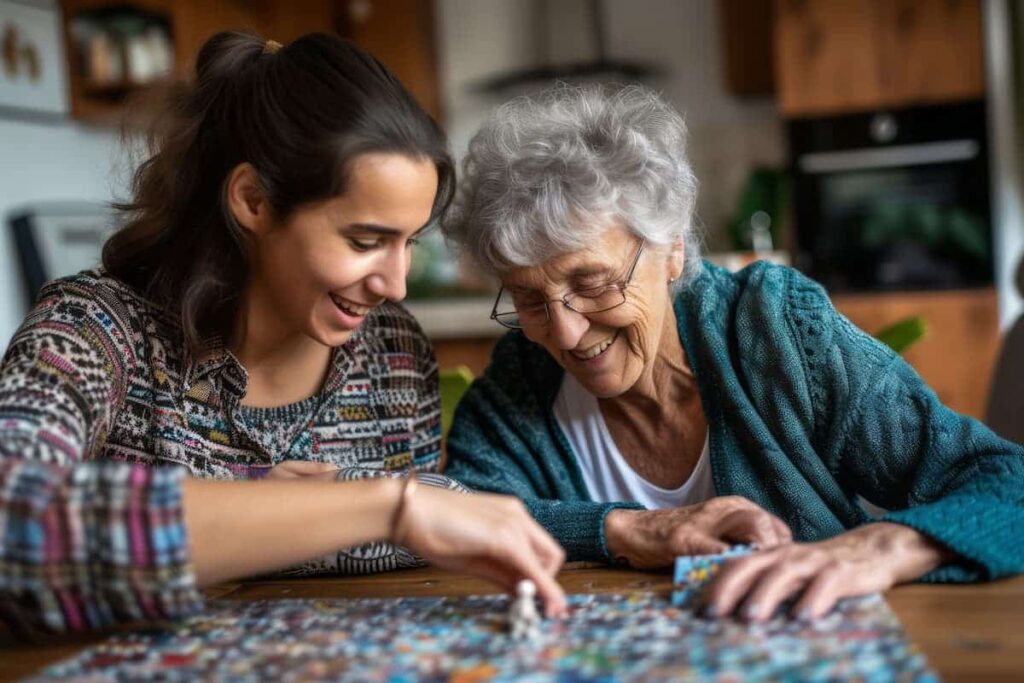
(958,355)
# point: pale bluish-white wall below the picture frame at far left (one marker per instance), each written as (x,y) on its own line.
(45,162)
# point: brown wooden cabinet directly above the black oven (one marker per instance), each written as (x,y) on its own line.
(841,56)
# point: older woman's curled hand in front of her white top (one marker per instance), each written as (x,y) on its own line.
(652,539)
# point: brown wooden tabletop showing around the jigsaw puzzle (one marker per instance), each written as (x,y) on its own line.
(969,633)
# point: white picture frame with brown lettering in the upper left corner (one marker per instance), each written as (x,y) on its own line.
(33,65)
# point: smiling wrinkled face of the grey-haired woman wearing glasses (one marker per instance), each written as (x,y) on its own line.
(609,352)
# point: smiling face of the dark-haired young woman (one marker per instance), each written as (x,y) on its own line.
(331,263)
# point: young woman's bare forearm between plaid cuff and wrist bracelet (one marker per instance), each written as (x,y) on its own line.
(285,522)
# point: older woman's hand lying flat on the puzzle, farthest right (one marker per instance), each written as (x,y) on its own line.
(868,560)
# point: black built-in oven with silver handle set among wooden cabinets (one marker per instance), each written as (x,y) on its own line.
(894,200)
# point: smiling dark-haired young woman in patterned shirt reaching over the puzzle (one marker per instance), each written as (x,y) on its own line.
(244,326)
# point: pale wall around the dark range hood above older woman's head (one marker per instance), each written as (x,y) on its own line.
(482,38)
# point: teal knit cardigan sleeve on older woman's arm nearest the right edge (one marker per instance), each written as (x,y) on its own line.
(940,473)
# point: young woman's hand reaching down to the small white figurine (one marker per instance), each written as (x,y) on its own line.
(489,536)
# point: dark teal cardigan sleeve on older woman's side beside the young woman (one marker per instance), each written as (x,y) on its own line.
(501,442)
